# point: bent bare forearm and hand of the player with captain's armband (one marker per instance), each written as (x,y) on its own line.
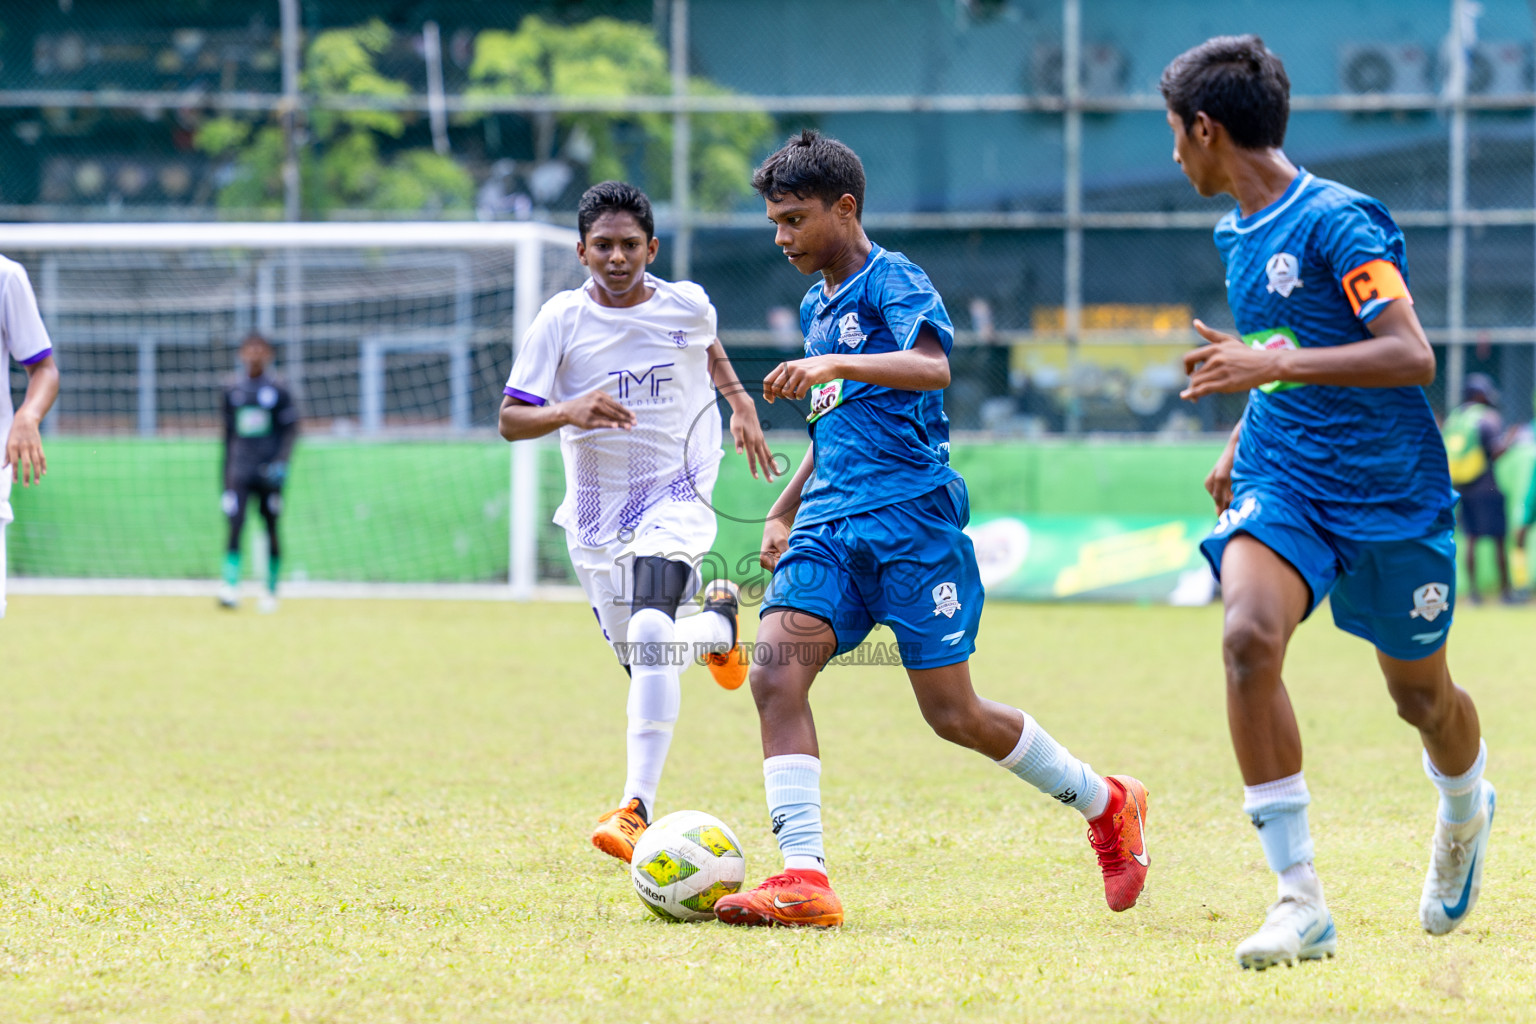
(1397,355)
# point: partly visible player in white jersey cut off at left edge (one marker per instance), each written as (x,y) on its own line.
(25,340)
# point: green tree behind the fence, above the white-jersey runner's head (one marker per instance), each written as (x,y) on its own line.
(611,59)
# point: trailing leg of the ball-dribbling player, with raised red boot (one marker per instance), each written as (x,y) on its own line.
(1116,805)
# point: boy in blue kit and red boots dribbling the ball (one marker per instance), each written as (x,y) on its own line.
(879,537)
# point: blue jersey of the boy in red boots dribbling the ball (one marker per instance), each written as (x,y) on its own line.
(875,446)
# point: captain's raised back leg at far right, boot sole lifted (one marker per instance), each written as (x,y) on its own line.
(1454,758)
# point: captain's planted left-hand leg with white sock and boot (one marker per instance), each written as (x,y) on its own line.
(1265,603)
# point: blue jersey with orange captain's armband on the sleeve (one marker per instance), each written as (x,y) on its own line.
(1314,269)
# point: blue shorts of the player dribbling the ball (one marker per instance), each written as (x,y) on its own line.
(907,566)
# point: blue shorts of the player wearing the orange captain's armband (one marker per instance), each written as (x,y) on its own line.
(1399,595)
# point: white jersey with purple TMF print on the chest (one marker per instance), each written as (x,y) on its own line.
(650,358)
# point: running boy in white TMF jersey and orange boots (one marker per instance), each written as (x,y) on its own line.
(627,368)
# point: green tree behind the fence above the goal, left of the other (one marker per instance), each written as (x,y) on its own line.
(346,170)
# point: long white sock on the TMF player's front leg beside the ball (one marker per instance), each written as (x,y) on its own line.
(654,704)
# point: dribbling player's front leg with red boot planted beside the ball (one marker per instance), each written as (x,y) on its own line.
(798,647)
